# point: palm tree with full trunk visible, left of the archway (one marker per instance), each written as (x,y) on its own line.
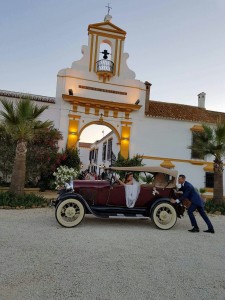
(20,121)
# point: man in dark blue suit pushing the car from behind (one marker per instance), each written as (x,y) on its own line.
(194,197)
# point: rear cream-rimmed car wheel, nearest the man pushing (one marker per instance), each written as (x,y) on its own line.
(164,215)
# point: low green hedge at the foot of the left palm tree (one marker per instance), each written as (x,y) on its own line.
(23,201)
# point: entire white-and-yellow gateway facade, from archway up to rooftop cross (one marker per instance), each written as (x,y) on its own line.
(100,88)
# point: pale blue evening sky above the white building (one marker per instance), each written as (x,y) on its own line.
(177,45)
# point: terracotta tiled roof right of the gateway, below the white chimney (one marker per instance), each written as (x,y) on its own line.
(183,112)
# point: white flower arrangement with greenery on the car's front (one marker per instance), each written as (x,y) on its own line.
(64,177)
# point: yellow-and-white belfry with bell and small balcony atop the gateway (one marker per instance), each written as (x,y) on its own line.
(106,42)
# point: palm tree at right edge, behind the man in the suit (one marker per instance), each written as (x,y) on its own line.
(211,142)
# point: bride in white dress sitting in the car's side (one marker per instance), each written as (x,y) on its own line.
(132,189)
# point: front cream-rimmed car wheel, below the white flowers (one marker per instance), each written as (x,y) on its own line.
(70,212)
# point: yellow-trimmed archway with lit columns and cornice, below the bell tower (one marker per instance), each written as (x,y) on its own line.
(112,114)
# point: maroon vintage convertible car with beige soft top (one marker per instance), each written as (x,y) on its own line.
(106,198)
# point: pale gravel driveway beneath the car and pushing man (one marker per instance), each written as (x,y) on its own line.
(108,259)
